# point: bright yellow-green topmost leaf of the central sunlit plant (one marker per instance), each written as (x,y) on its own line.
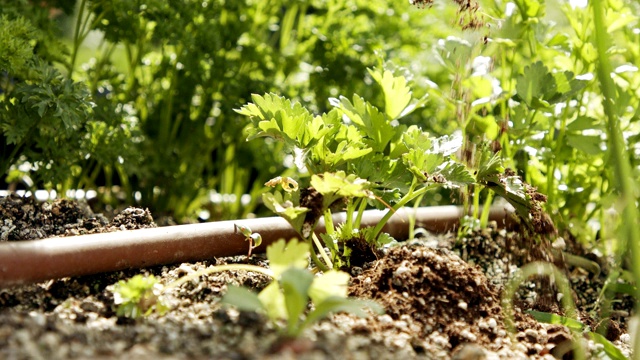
(397,94)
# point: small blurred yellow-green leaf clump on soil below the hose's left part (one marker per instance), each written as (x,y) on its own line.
(138,296)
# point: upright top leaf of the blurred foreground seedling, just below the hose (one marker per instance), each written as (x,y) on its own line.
(283,255)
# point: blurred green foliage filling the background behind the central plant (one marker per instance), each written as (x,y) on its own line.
(136,99)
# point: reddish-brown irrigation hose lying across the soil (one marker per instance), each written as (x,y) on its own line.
(38,260)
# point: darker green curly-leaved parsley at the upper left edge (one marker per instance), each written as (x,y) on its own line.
(48,127)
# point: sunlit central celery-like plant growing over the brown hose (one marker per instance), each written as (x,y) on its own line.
(356,154)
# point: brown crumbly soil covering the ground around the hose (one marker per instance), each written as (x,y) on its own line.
(441,295)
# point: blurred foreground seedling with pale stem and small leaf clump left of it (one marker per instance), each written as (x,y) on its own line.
(286,298)
